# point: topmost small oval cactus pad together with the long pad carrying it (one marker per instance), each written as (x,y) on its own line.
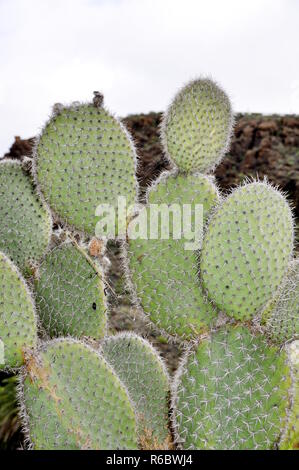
(195,133)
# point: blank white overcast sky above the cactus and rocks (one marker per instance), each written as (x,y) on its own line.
(139,52)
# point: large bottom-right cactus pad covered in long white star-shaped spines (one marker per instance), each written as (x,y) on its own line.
(232,392)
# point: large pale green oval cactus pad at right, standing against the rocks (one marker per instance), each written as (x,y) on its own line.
(246,249)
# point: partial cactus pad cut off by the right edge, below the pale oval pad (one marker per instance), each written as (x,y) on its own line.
(282,321)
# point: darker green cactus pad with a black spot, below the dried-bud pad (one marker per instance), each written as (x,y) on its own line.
(70,294)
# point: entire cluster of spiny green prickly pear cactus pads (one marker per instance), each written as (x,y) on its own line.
(231,300)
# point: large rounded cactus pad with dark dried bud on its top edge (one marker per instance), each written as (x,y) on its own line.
(84,158)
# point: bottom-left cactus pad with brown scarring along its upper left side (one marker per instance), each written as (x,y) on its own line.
(72,399)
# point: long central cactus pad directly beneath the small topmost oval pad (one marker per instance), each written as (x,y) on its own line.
(163,274)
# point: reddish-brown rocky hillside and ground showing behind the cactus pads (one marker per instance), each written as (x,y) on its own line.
(261,147)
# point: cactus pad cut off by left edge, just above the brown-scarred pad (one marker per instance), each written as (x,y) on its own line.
(18,325)
